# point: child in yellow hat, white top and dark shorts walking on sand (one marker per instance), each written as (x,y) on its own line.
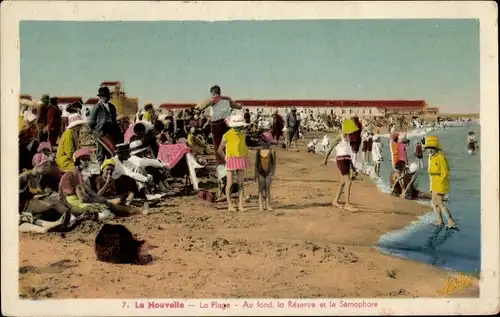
(344,153)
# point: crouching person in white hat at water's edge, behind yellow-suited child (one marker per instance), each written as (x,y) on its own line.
(403,180)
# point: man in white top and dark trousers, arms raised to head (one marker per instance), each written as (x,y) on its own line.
(221,108)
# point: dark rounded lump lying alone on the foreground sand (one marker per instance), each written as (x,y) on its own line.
(116,244)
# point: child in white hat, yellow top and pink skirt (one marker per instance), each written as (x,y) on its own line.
(236,157)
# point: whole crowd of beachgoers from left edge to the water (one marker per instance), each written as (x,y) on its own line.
(74,168)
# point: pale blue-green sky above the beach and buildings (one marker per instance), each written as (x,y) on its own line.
(178,61)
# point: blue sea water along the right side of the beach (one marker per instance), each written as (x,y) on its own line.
(423,241)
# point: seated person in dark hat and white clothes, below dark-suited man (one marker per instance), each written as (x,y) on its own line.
(133,178)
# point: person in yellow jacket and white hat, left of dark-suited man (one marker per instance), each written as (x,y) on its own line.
(69,143)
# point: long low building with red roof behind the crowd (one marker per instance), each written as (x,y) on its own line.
(373,108)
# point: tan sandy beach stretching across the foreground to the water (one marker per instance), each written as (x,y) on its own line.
(304,248)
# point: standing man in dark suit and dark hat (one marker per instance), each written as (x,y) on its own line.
(104,124)
